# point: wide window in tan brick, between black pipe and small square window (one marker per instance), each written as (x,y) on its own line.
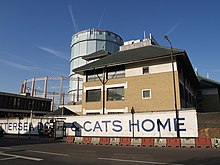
(115,93)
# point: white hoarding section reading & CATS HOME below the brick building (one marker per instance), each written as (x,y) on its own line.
(155,124)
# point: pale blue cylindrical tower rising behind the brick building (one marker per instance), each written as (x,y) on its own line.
(84,43)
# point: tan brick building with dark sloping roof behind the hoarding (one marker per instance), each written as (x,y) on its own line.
(140,77)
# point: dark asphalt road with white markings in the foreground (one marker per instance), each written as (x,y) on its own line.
(47,152)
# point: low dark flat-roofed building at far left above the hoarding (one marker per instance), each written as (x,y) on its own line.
(14,105)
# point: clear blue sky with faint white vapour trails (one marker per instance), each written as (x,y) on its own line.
(35,35)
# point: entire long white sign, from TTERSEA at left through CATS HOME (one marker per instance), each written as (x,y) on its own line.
(151,124)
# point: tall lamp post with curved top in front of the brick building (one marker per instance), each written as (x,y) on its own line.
(174,87)
